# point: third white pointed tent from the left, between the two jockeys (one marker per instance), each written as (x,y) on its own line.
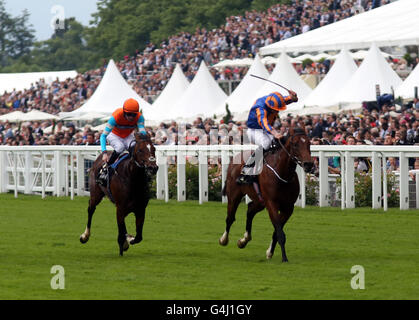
(202,97)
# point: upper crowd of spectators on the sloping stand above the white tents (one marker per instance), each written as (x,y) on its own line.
(149,71)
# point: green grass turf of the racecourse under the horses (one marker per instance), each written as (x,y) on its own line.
(180,257)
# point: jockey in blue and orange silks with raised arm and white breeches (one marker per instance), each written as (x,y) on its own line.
(260,130)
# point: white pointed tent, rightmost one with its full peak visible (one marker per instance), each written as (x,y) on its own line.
(373,70)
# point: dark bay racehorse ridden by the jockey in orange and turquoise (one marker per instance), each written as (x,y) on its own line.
(129,190)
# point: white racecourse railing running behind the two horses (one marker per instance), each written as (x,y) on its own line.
(62,170)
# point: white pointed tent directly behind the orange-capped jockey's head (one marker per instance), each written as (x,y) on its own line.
(111,93)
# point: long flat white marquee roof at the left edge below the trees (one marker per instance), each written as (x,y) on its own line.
(22,81)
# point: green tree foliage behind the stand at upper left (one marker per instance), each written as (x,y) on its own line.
(118,28)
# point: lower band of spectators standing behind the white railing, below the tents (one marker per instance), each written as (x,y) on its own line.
(387,124)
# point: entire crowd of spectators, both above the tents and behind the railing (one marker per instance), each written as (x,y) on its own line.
(240,37)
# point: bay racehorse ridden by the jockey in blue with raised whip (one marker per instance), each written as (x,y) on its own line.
(279,188)
